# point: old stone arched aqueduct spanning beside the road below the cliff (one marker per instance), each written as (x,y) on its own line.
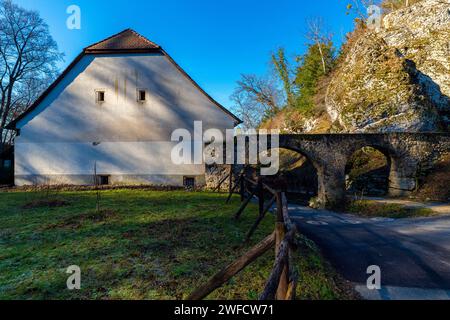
(408,153)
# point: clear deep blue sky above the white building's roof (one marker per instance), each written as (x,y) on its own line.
(215,41)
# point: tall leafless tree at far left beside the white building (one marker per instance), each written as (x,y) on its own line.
(28,61)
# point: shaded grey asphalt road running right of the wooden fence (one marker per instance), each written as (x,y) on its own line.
(413,254)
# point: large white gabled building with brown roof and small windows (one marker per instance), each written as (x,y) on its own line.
(114,108)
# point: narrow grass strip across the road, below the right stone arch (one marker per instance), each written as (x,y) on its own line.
(370,209)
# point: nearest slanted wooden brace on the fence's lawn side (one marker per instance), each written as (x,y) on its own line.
(234,268)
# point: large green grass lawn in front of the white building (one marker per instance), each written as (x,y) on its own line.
(142,245)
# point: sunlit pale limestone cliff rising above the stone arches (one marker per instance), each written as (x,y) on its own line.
(396,78)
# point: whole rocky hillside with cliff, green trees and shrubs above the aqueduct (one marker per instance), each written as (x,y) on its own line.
(395,78)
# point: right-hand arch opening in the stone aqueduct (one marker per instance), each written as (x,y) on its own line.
(368,172)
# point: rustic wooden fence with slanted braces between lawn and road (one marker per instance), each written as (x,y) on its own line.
(282,282)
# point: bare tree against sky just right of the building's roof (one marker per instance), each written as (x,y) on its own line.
(256,98)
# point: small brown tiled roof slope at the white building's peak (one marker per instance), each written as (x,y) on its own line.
(123,41)
